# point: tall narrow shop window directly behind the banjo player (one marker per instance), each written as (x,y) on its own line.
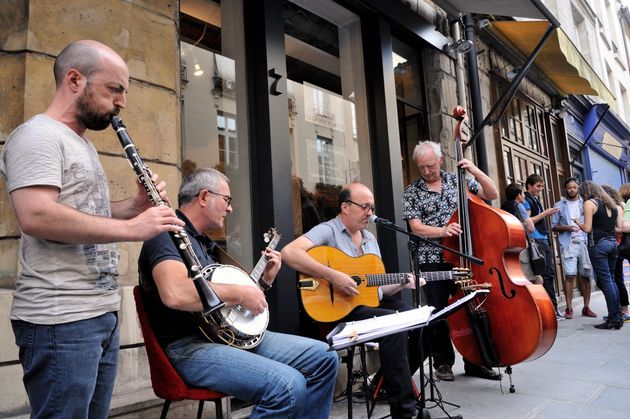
(210,124)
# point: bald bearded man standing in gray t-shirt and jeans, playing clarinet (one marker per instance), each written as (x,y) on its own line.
(65,307)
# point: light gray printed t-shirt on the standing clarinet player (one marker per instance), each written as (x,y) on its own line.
(60,283)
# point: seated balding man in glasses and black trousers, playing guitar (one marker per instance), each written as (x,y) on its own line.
(347,233)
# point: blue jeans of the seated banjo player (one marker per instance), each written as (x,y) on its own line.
(286,376)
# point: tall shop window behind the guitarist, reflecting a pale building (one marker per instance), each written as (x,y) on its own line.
(328,124)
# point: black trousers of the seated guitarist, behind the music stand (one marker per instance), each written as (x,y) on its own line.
(396,363)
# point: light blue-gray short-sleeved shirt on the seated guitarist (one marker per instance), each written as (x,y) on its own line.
(334,234)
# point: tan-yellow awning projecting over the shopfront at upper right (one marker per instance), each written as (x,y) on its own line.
(559,60)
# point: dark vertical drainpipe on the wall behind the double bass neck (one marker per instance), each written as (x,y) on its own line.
(475,93)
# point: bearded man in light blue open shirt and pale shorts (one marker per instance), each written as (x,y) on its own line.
(573,247)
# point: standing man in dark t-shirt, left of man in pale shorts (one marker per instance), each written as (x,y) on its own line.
(535,185)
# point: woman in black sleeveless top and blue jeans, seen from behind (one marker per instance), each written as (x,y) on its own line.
(601,220)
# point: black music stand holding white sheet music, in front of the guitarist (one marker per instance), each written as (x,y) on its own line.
(376,332)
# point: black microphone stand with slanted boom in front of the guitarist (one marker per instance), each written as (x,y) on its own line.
(414,239)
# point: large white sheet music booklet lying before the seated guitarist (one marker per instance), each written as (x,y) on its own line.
(379,326)
